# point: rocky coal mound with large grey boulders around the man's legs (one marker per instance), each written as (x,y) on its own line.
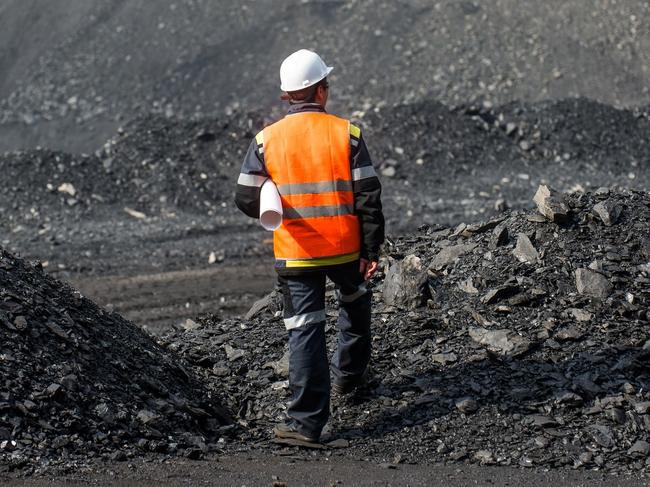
(523,340)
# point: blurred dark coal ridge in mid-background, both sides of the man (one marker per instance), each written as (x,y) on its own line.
(438,165)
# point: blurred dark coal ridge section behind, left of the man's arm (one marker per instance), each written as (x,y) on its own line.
(150,165)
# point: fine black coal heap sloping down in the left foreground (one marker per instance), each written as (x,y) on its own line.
(81,383)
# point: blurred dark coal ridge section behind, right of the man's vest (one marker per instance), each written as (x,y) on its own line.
(442,165)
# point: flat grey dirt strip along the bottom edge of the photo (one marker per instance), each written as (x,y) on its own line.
(283,469)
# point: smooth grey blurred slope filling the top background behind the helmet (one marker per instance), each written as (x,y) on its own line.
(72,72)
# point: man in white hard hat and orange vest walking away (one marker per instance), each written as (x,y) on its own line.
(332,227)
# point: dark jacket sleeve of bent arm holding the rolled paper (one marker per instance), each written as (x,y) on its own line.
(251,178)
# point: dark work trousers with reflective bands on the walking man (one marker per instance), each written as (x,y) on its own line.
(304,318)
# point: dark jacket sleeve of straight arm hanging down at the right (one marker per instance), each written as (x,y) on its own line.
(367,198)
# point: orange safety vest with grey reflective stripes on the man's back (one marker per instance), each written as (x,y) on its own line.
(307,156)
